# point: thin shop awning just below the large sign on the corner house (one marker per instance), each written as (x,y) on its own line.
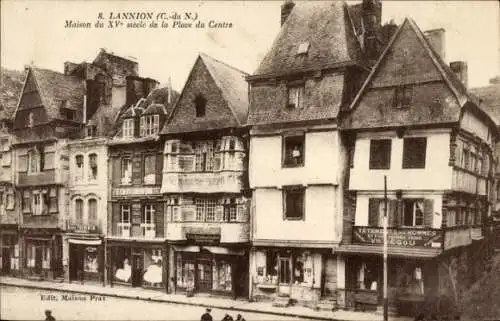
(392,251)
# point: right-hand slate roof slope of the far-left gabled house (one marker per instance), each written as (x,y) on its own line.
(56,88)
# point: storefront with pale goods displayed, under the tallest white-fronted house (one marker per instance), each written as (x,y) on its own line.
(293,273)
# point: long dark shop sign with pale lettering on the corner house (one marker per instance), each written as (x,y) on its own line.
(426,238)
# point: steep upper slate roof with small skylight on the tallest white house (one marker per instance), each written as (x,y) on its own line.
(326,26)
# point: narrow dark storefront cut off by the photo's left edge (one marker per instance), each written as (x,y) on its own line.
(9,250)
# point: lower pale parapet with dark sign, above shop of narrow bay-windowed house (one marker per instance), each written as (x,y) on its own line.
(203,232)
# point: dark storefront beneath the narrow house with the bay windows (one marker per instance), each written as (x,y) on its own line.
(210,269)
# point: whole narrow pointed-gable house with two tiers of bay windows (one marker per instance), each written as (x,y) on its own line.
(205,184)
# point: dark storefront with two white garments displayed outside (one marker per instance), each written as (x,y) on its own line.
(137,264)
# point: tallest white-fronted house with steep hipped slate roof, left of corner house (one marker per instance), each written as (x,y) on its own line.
(298,162)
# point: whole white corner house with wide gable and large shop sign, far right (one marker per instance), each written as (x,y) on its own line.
(415,122)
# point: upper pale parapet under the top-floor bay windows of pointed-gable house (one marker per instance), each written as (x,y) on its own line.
(207,182)
